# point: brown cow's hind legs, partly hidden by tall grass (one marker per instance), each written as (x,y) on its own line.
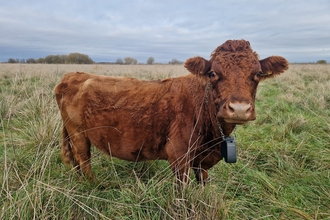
(76,150)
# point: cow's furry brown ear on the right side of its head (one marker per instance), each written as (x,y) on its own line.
(273,66)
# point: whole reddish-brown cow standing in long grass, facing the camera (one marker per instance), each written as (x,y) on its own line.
(175,119)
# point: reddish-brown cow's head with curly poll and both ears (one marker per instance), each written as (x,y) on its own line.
(234,72)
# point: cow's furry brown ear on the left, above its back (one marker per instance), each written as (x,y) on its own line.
(198,65)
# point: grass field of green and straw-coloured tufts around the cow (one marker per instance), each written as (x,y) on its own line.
(283,168)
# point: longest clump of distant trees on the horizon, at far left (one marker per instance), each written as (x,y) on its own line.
(72,58)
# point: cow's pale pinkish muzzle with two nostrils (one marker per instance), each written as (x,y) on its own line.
(237,112)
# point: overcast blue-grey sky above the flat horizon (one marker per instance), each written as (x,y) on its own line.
(106,30)
